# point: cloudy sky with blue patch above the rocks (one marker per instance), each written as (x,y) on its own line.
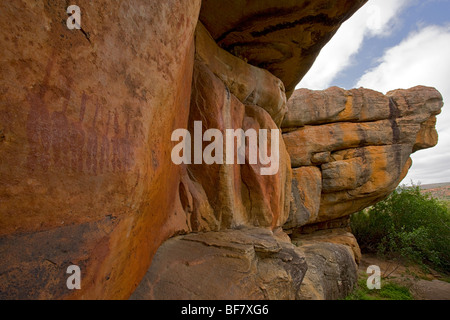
(391,44)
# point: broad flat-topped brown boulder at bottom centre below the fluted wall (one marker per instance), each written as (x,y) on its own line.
(244,264)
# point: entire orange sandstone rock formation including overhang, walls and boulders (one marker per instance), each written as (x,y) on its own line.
(86,174)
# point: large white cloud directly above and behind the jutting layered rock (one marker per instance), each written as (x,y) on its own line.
(422,58)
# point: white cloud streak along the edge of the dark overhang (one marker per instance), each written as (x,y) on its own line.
(374,19)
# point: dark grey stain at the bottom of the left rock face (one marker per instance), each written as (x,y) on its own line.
(35,263)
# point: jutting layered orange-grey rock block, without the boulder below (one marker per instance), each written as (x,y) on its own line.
(361,142)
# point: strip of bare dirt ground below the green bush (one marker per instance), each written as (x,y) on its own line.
(423,286)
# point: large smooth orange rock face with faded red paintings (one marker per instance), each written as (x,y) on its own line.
(86,176)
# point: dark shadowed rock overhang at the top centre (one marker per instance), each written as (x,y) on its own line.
(281,36)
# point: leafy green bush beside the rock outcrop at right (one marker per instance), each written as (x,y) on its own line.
(408,224)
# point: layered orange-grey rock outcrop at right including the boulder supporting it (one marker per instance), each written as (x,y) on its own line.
(349,150)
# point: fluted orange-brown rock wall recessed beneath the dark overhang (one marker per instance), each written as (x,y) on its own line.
(231,195)
